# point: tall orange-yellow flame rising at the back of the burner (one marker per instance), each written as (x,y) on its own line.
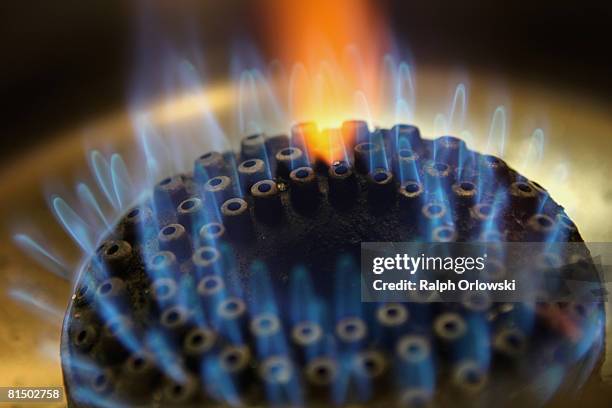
(337,49)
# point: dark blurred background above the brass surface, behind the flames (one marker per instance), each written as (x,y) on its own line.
(64,61)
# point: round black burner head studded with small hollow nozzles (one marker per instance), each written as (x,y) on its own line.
(234,284)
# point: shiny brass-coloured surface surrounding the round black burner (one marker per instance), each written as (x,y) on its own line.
(578,132)
